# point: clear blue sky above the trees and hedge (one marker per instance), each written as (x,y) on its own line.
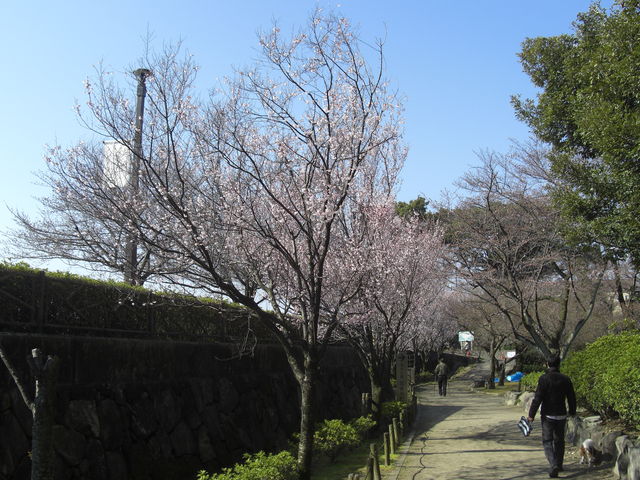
(454,62)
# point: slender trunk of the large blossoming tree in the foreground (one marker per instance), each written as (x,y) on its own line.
(305,447)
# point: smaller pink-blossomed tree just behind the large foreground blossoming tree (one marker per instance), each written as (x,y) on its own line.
(397,307)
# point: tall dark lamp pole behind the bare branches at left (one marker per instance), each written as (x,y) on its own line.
(131,274)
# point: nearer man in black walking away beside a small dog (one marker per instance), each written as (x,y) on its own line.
(554,391)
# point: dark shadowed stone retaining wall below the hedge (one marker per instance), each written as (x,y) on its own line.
(129,409)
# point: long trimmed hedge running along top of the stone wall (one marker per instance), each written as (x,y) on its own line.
(58,303)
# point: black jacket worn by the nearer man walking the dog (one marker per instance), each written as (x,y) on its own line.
(554,391)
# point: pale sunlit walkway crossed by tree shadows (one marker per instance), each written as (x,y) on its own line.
(472,435)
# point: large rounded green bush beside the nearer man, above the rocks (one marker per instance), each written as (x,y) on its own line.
(606,376)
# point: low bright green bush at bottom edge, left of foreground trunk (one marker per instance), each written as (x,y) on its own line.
(259,466)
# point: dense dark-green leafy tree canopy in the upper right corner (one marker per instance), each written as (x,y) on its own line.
(588,110)
